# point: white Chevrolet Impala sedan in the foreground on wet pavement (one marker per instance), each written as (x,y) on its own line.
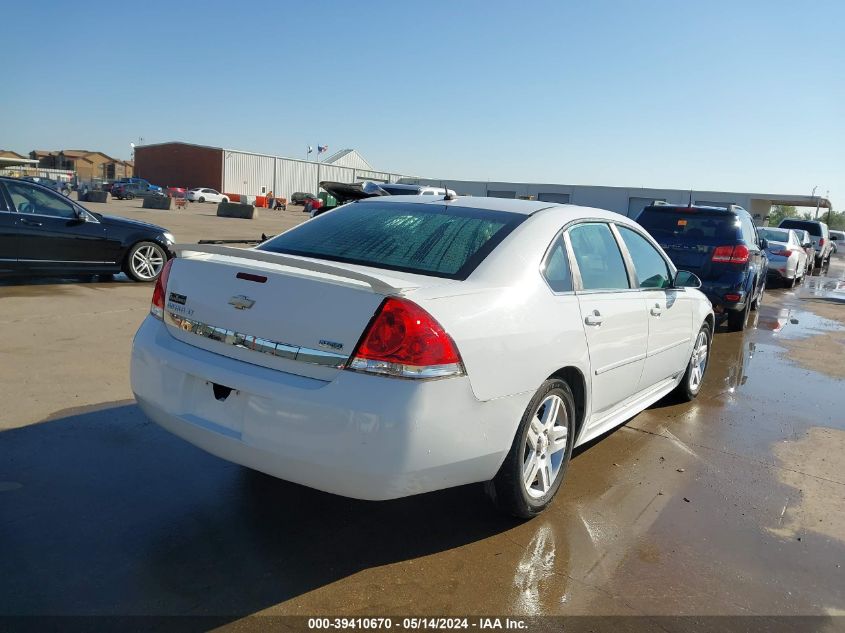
(404,344)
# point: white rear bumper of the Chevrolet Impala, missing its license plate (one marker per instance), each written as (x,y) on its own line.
(361,436)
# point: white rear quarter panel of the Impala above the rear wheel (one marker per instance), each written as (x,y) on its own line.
(512,331)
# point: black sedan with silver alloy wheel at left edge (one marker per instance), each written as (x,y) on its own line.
(45,233)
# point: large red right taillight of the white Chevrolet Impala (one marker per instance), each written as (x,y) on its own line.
(406,341)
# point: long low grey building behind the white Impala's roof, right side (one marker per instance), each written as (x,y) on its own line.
(625,200)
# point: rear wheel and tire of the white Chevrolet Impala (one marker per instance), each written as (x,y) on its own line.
(534,468)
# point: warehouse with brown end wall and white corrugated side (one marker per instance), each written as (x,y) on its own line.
(176,164)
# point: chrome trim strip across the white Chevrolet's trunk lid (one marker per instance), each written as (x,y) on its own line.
(255,343)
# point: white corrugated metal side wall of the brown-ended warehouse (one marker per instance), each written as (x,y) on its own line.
(255,174)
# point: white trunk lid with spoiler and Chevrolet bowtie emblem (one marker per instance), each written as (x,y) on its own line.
(291,314)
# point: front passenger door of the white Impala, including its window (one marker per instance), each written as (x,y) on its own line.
(668,310)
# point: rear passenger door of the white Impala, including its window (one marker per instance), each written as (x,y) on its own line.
(613,315)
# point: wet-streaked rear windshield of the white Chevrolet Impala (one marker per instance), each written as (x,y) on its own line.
(426,239)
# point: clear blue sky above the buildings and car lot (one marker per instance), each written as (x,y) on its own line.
(743,95)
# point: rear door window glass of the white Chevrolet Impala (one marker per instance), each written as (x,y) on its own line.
(598,257)
